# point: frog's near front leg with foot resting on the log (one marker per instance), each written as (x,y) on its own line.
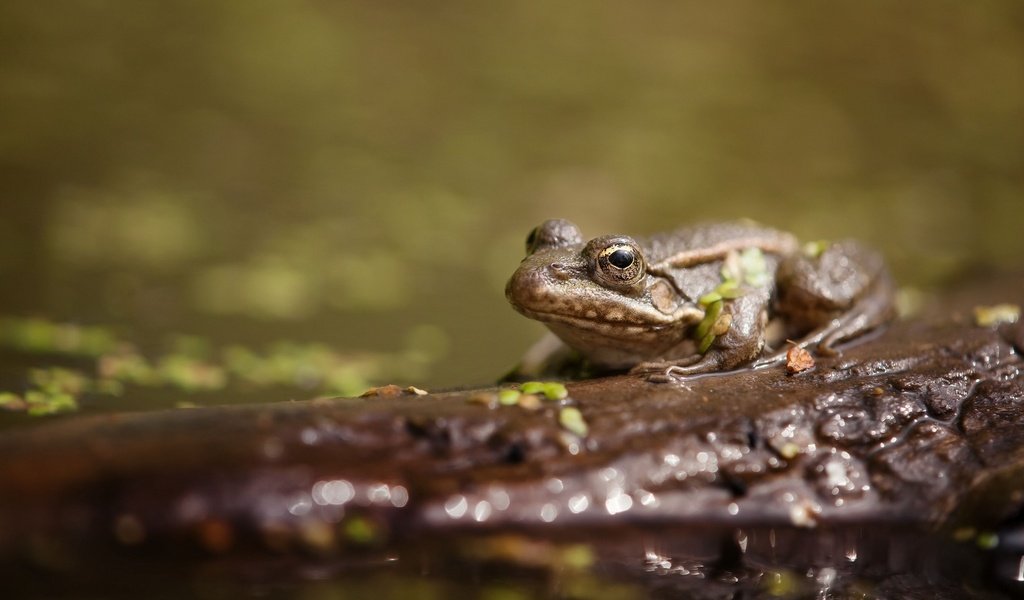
(740,339)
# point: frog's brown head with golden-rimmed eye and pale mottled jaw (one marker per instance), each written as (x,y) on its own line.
(599,296)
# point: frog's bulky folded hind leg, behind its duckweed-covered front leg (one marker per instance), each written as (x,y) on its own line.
(831,296)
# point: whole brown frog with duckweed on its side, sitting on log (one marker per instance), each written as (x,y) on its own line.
(701,299)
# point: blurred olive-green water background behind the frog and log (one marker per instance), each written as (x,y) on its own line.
(362,176)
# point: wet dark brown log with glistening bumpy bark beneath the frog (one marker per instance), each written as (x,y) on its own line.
(922,425)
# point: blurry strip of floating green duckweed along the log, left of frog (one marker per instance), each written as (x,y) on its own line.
(190,365)
